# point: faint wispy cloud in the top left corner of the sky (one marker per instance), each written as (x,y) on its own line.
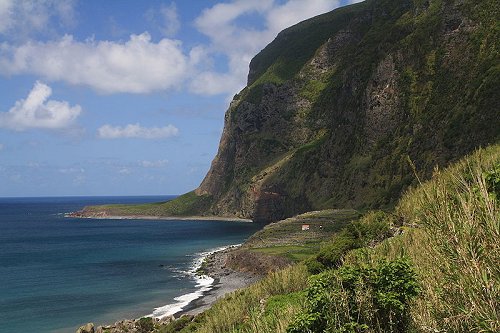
(20,19)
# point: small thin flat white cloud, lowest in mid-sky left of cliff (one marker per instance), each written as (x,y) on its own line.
(136,131)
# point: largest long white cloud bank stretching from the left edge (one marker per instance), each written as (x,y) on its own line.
(135,66)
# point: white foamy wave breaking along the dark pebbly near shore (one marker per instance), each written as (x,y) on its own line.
(204,284)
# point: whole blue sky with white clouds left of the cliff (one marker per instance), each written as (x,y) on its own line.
(124,97)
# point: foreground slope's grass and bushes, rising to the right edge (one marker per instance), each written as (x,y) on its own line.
(439,272)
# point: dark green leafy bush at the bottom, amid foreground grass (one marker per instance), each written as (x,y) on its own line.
(359,298)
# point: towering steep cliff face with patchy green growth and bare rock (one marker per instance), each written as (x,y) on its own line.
(336,106)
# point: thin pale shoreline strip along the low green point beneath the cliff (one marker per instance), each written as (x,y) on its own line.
(98,216)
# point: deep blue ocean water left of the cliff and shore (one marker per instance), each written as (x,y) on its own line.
(58,273)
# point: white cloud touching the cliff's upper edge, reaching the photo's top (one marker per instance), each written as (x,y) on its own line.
(240,44)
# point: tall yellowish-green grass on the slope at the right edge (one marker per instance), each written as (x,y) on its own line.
(455,246)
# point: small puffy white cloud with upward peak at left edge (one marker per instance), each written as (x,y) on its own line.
(36,111)
